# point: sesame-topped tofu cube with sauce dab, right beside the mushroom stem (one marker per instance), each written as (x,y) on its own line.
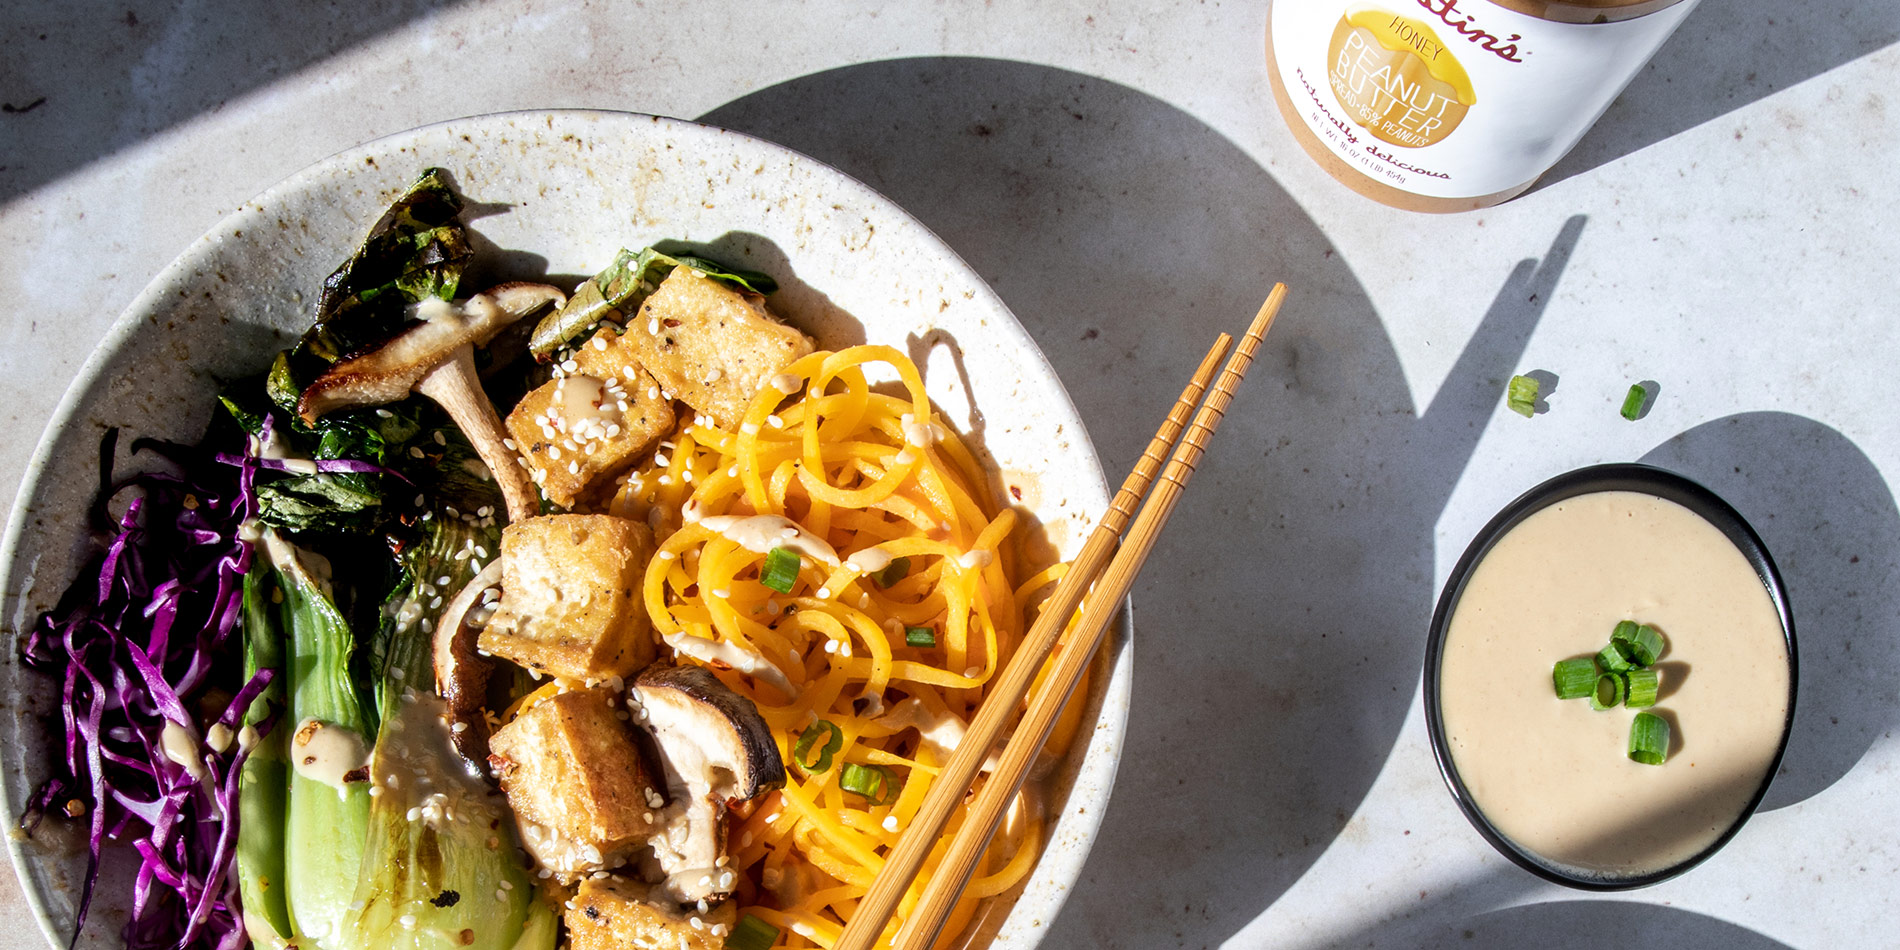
(592,425)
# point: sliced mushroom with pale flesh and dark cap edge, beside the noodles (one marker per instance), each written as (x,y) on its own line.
(691,706)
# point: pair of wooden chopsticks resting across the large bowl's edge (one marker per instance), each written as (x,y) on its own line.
(1111,579)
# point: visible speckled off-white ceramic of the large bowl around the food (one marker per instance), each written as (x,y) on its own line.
(558,195)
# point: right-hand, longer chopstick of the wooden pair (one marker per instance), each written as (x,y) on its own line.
(987,812)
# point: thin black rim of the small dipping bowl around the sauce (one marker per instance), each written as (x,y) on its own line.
(1620,478)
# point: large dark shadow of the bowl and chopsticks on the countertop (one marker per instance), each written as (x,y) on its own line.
(1282,618)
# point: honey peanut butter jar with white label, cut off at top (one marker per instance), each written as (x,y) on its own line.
(1454,105)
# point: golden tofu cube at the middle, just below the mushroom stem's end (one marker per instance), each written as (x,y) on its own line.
(571,598)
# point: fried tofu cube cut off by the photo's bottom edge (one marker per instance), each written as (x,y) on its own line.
(615,915)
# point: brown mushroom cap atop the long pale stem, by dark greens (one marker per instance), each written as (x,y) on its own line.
(390,371)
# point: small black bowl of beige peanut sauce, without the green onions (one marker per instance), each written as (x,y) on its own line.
(1549,782)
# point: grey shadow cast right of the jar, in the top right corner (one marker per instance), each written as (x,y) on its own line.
(1726,56)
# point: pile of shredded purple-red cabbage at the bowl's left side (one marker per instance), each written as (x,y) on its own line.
(138,643)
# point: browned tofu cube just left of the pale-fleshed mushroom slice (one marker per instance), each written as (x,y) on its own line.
(577,782)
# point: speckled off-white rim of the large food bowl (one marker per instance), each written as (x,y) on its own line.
(1084,780)
